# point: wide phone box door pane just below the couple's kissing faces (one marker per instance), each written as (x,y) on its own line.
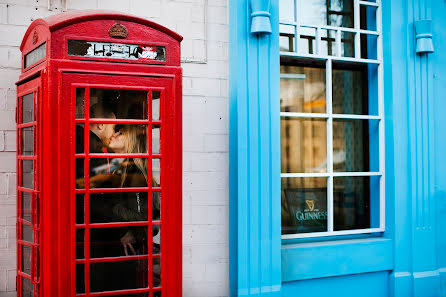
(118,173)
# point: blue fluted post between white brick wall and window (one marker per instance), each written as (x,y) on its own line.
(254,148)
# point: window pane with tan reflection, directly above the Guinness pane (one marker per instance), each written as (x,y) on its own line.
(303,145)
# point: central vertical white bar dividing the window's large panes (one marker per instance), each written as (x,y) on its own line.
(328,89)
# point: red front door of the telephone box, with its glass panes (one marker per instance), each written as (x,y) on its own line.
(123,232)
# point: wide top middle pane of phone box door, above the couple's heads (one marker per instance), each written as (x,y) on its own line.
(119,104)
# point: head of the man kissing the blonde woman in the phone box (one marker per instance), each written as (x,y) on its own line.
(103,131)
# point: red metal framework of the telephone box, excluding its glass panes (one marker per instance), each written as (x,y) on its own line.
(55,79)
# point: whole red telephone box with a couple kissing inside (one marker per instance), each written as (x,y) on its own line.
(99,161)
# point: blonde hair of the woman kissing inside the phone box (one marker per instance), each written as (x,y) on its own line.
(135,143)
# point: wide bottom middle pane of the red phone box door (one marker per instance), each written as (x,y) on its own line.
(121,275)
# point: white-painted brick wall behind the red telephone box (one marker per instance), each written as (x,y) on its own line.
(203,24)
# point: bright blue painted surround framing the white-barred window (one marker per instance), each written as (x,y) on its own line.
(409,259)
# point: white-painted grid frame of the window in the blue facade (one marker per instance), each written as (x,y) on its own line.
(329,116)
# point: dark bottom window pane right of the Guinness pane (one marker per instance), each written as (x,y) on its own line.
(351,198)
